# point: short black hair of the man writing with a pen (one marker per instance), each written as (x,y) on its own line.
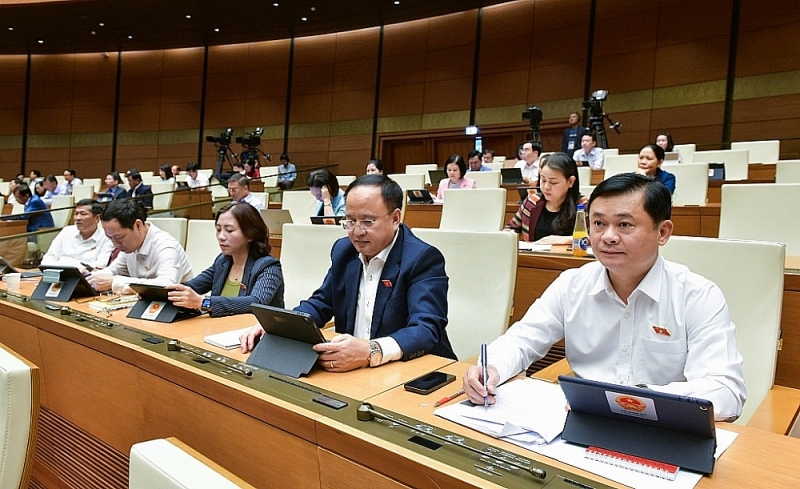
(657,199)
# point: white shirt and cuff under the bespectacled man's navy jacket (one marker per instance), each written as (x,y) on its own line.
(367,291)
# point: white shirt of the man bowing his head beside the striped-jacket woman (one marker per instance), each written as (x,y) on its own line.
(159,261)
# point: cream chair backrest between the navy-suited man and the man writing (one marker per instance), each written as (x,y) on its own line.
(476,314)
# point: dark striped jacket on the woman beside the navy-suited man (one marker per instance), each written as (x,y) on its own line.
(262,283)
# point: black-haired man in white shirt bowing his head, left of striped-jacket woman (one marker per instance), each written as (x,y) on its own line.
(146,254)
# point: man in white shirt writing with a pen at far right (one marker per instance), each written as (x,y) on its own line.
(631,317)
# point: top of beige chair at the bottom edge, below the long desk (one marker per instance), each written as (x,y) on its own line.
(171,464)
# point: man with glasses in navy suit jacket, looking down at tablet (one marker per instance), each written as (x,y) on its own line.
(386,289)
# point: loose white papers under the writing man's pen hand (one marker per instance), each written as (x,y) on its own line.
(528,411)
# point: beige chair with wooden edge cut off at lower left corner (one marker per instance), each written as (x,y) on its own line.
(19,417)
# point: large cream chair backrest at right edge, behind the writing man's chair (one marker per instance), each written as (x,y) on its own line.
(754,211)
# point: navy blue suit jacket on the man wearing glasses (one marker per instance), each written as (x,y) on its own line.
(411,304)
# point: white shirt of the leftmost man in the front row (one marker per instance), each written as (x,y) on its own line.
(70,249)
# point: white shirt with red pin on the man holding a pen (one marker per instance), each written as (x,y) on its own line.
(674,334)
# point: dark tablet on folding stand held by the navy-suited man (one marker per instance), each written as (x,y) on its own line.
(286,346)
